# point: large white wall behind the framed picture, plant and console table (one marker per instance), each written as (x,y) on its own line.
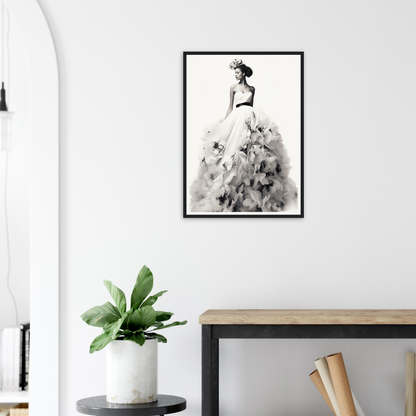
(121,192)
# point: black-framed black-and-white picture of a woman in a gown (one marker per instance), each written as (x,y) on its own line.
(243,134)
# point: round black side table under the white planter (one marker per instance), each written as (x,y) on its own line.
(99,406)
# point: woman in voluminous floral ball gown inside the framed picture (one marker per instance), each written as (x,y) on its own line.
(244,164)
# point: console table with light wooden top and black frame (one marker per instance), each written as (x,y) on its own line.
(291,323)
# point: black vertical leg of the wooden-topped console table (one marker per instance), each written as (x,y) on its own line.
(210,373)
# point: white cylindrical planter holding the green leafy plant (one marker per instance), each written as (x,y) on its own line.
(132,372)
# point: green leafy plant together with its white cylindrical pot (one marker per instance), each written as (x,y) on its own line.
(131,340)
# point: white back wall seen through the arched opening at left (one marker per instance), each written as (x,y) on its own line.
(18,184)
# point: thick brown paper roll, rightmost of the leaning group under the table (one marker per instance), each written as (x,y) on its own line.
(341,384)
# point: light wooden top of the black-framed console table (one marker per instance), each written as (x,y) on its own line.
(308,317)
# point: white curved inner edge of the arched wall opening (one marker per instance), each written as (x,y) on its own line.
(44,206)
